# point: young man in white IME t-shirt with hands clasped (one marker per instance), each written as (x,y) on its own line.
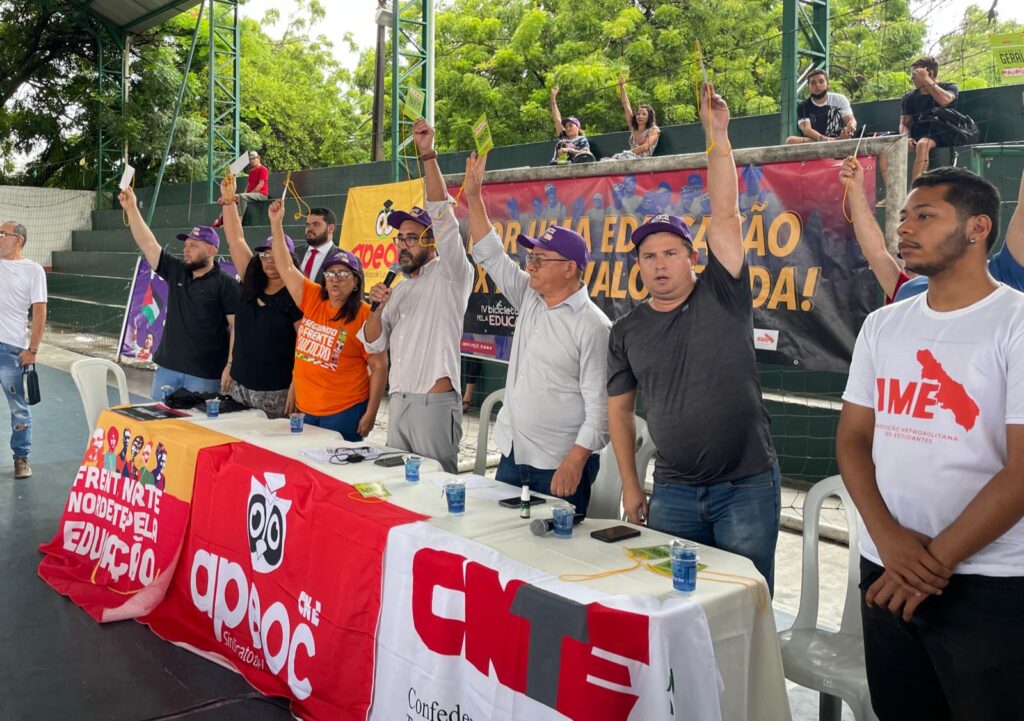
(931,448)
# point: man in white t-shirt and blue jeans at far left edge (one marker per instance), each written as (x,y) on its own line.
(23,286)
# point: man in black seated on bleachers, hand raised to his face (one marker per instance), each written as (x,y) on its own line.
(916,120)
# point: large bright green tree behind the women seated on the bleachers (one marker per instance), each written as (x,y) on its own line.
(502,58)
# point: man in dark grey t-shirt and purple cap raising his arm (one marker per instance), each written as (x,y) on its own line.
(690,351)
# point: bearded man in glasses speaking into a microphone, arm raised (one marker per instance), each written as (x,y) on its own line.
(421,320)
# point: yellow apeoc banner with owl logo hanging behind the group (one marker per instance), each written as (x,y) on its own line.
(365,231)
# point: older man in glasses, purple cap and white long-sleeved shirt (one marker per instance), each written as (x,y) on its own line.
(554,418)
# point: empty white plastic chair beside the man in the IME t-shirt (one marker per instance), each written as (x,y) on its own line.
(828,662)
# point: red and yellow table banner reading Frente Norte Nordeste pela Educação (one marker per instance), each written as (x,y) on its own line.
(122,528)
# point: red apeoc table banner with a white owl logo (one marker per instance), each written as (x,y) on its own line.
(281,580)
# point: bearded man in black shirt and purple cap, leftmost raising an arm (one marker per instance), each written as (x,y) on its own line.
(201,305)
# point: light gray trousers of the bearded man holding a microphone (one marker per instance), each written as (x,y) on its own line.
(428,425)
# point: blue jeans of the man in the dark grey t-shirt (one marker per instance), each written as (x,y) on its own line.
(741,517)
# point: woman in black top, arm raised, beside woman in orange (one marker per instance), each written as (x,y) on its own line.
(260,367)
